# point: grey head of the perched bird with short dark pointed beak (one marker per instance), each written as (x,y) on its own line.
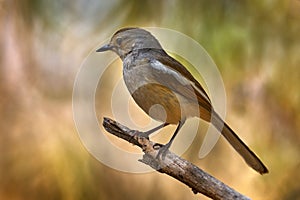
(125,40)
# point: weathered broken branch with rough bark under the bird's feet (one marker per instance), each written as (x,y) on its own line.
(172,165)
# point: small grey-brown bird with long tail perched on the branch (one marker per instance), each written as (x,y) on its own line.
(155,78)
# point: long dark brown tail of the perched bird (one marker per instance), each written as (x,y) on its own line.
(249,156)
